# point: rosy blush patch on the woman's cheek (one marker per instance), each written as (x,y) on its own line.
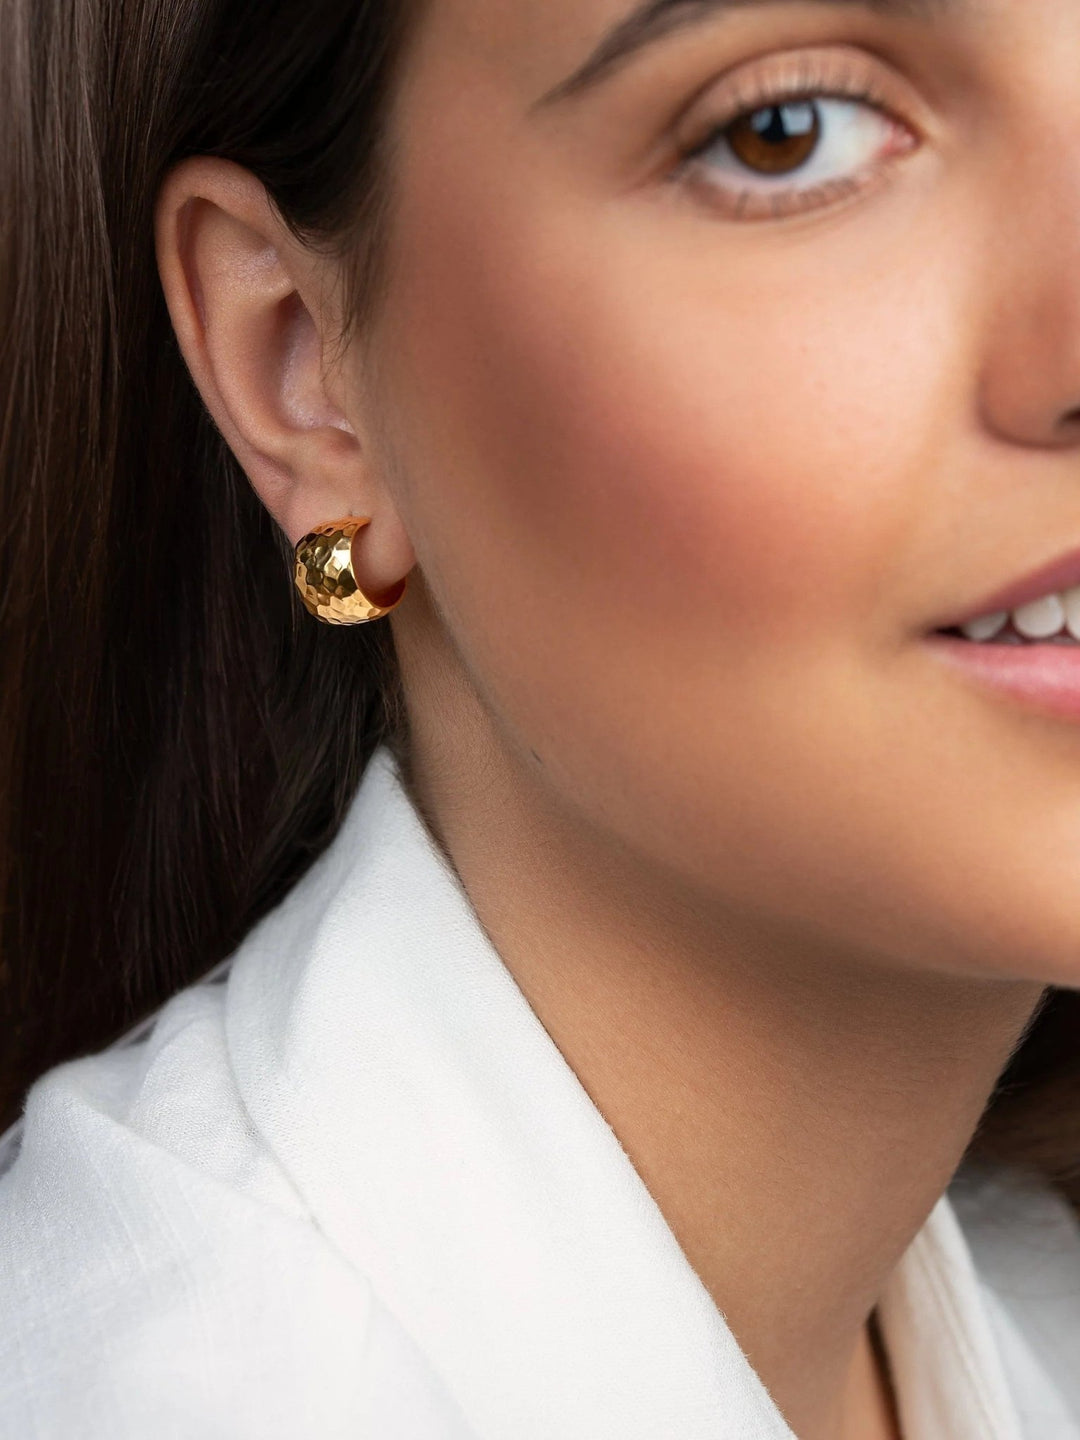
(652,483)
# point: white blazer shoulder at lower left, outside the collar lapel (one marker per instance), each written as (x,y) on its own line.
(161,1274)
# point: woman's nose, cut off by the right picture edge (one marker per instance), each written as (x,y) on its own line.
(1032,269)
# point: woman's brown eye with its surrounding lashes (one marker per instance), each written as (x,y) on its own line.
(794,145)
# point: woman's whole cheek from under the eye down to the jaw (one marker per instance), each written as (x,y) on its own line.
(660,485)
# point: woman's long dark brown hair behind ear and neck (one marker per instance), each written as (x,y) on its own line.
(178,738)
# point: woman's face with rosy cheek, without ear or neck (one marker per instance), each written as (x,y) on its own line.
(699,441)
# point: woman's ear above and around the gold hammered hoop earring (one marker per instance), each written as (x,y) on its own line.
(256,320)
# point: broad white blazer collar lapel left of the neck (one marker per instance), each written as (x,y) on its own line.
(453,1156)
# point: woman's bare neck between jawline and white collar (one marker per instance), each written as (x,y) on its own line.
(796,1114)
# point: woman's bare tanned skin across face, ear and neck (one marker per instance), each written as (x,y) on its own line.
(679,495)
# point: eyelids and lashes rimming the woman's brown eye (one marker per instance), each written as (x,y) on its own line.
(814,80)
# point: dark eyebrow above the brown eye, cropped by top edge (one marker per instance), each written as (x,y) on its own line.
(657,19)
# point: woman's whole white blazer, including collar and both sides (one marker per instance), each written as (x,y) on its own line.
(349,1187)
